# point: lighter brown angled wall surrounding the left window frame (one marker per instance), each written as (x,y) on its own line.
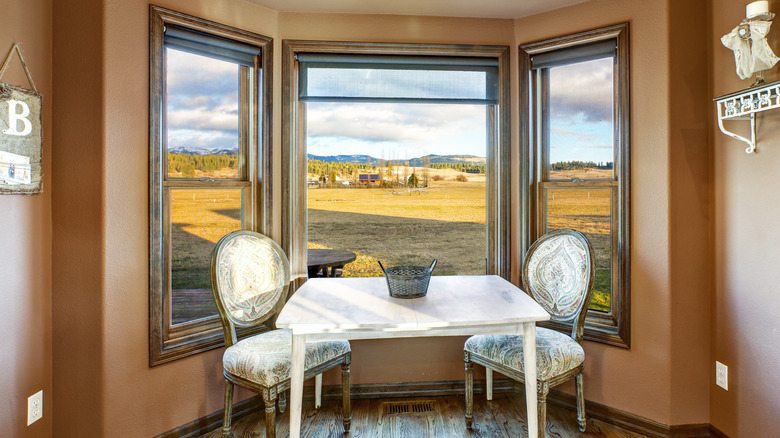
(174,394)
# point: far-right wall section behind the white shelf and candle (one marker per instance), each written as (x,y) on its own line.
(746,259)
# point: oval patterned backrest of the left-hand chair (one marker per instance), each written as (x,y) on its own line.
(250,275)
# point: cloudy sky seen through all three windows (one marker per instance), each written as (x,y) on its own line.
(203,114)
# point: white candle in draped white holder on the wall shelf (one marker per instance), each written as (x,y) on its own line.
(748,41)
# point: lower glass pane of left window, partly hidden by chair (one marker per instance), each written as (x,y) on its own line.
(199,218)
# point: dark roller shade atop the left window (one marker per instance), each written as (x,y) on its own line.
(209,45)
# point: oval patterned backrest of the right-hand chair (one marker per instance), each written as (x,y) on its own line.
(558,273)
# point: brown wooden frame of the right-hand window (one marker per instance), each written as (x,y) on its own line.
(612,328)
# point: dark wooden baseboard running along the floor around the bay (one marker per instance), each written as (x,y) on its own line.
(625,420)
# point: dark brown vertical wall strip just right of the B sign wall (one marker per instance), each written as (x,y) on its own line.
(78,245)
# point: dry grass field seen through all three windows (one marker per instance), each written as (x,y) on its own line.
(397,226)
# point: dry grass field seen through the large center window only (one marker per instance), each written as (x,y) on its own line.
(400,226)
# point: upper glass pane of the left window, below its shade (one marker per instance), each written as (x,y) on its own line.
(202,112)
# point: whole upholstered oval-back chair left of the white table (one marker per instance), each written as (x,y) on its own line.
(250,275)
